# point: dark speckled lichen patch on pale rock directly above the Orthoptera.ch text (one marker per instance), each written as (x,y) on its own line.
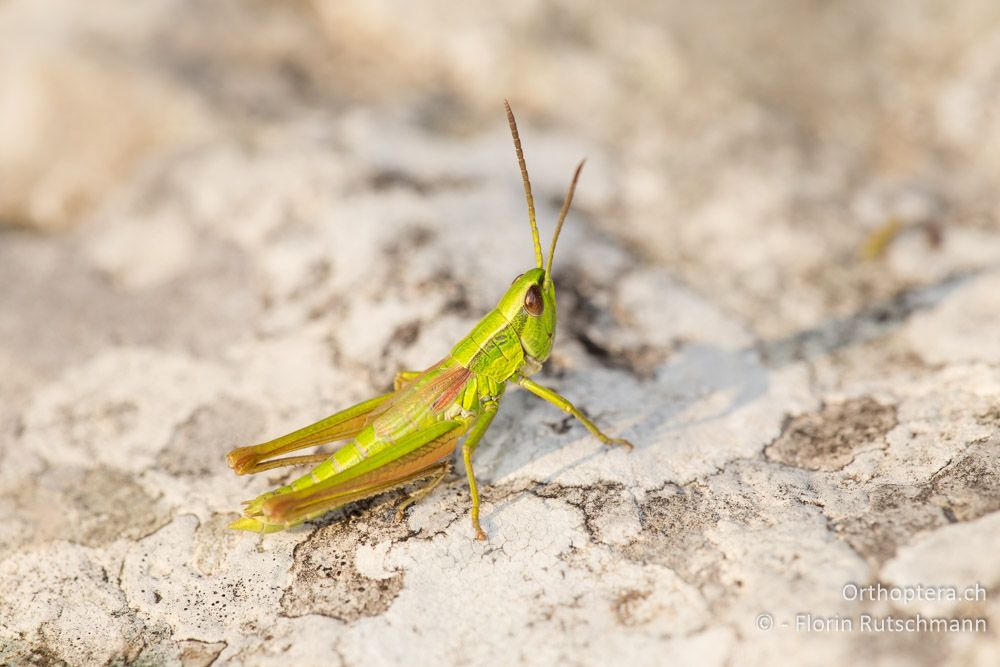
(896,513)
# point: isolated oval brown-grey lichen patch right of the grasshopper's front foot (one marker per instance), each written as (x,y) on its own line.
(830,439)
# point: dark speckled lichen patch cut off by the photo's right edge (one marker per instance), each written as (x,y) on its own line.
(969,487)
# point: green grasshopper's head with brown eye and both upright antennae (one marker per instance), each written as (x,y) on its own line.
(530,303)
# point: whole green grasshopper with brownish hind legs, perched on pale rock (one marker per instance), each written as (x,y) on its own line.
(409,434)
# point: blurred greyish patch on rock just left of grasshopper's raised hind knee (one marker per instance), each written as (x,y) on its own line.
(200,443)
